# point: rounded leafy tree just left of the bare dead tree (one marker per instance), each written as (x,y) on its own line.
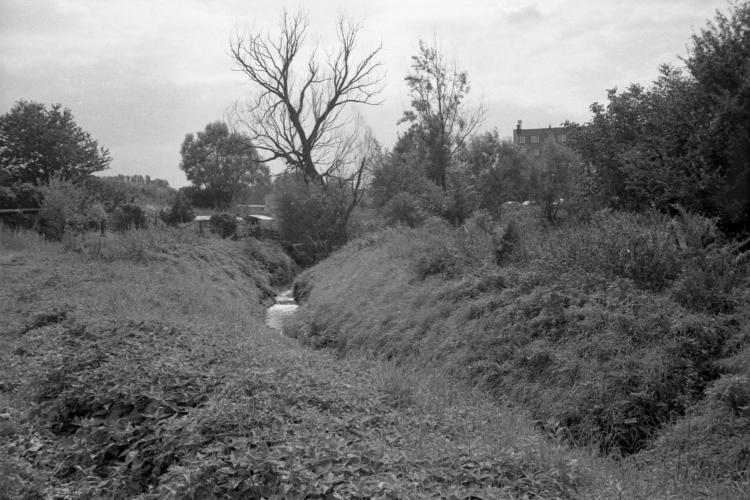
(219,163)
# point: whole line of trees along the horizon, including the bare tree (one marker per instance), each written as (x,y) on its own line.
(682,141)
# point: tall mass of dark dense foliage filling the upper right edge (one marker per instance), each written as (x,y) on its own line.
(685,138)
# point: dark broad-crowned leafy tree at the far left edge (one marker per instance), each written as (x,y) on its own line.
(37,144)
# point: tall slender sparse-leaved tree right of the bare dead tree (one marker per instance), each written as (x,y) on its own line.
(438,116)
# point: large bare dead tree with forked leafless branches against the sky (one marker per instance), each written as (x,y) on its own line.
(300,113)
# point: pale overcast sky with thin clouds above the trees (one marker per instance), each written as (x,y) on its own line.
(139,75)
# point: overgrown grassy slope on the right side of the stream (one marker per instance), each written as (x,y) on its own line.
(625,334)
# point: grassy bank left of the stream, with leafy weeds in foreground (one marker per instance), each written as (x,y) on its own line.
(139,366)
